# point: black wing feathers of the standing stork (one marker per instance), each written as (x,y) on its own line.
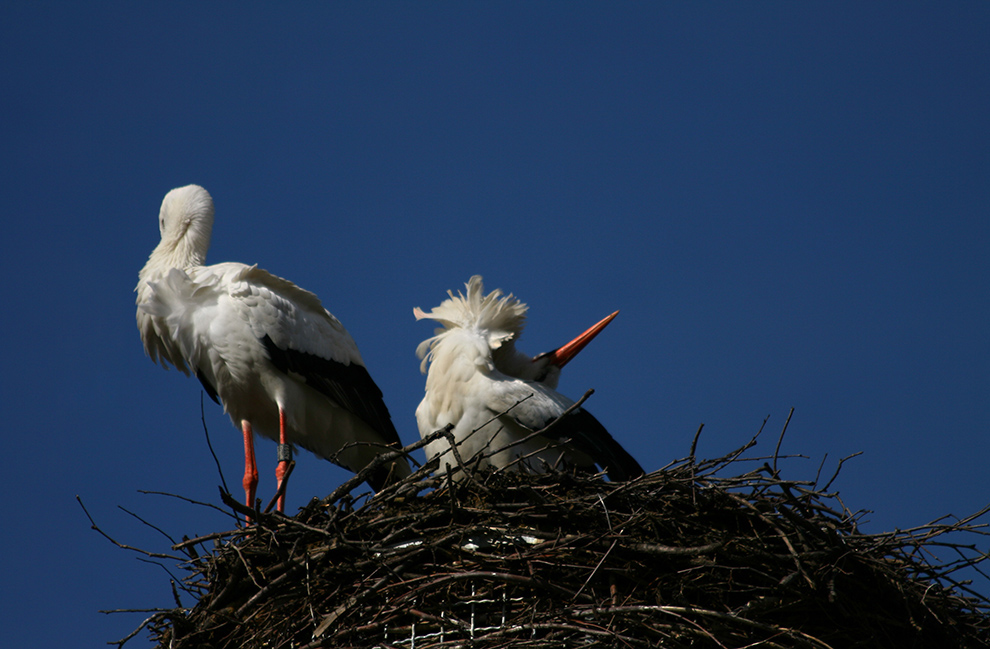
(350,386)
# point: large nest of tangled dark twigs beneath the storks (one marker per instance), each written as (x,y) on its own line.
(681,557)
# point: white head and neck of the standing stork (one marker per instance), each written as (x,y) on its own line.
(186,223)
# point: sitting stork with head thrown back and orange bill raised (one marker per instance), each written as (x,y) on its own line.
(496,397)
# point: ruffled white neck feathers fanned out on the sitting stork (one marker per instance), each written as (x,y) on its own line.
(497,319)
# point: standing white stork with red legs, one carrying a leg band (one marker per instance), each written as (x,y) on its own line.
(280,363)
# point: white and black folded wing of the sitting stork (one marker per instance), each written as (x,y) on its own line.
(534,406)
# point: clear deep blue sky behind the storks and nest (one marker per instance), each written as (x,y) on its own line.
(788,202)
